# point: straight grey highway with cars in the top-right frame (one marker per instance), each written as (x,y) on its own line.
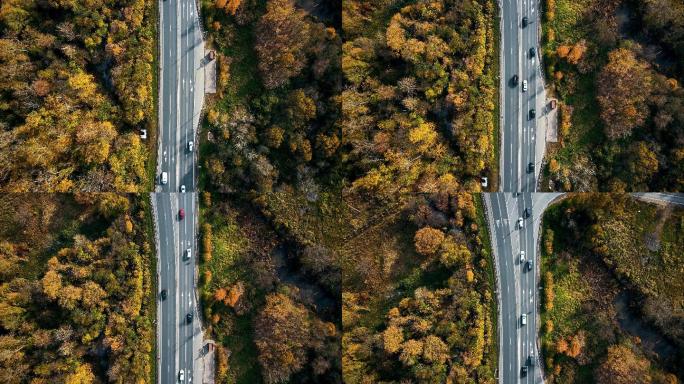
(522,136)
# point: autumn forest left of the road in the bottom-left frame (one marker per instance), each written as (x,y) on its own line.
(77,296)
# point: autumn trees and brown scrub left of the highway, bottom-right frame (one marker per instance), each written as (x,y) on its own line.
(417,296)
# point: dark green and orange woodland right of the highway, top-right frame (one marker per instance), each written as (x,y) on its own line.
(616,67)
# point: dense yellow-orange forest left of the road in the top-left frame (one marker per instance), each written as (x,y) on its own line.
(76,87)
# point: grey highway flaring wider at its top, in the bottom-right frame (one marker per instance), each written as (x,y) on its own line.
(517,288)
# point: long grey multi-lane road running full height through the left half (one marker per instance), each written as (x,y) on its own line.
(181,94)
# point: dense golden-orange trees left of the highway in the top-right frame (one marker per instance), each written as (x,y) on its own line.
(421,94)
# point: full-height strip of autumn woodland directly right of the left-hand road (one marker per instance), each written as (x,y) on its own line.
(270,280)
